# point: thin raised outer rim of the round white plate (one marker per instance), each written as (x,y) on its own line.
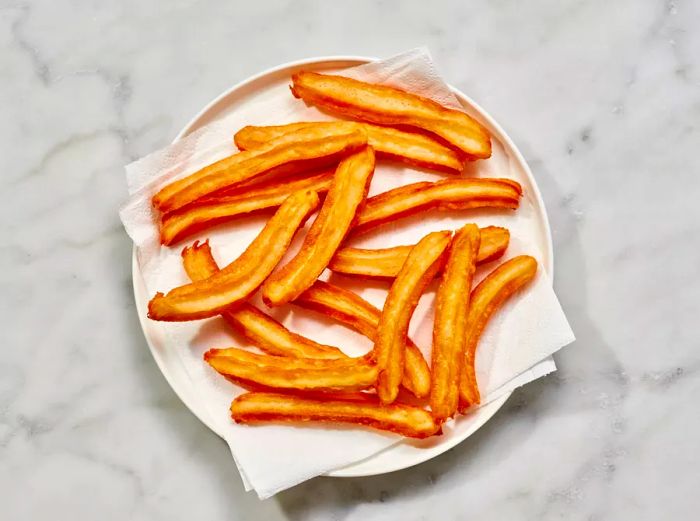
(196,122)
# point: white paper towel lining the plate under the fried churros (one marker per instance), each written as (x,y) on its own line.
(515,348)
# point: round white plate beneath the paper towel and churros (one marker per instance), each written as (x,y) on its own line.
(409,452)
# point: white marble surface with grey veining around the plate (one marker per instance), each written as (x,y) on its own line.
(602,97)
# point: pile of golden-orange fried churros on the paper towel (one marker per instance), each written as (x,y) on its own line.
(325,169)
